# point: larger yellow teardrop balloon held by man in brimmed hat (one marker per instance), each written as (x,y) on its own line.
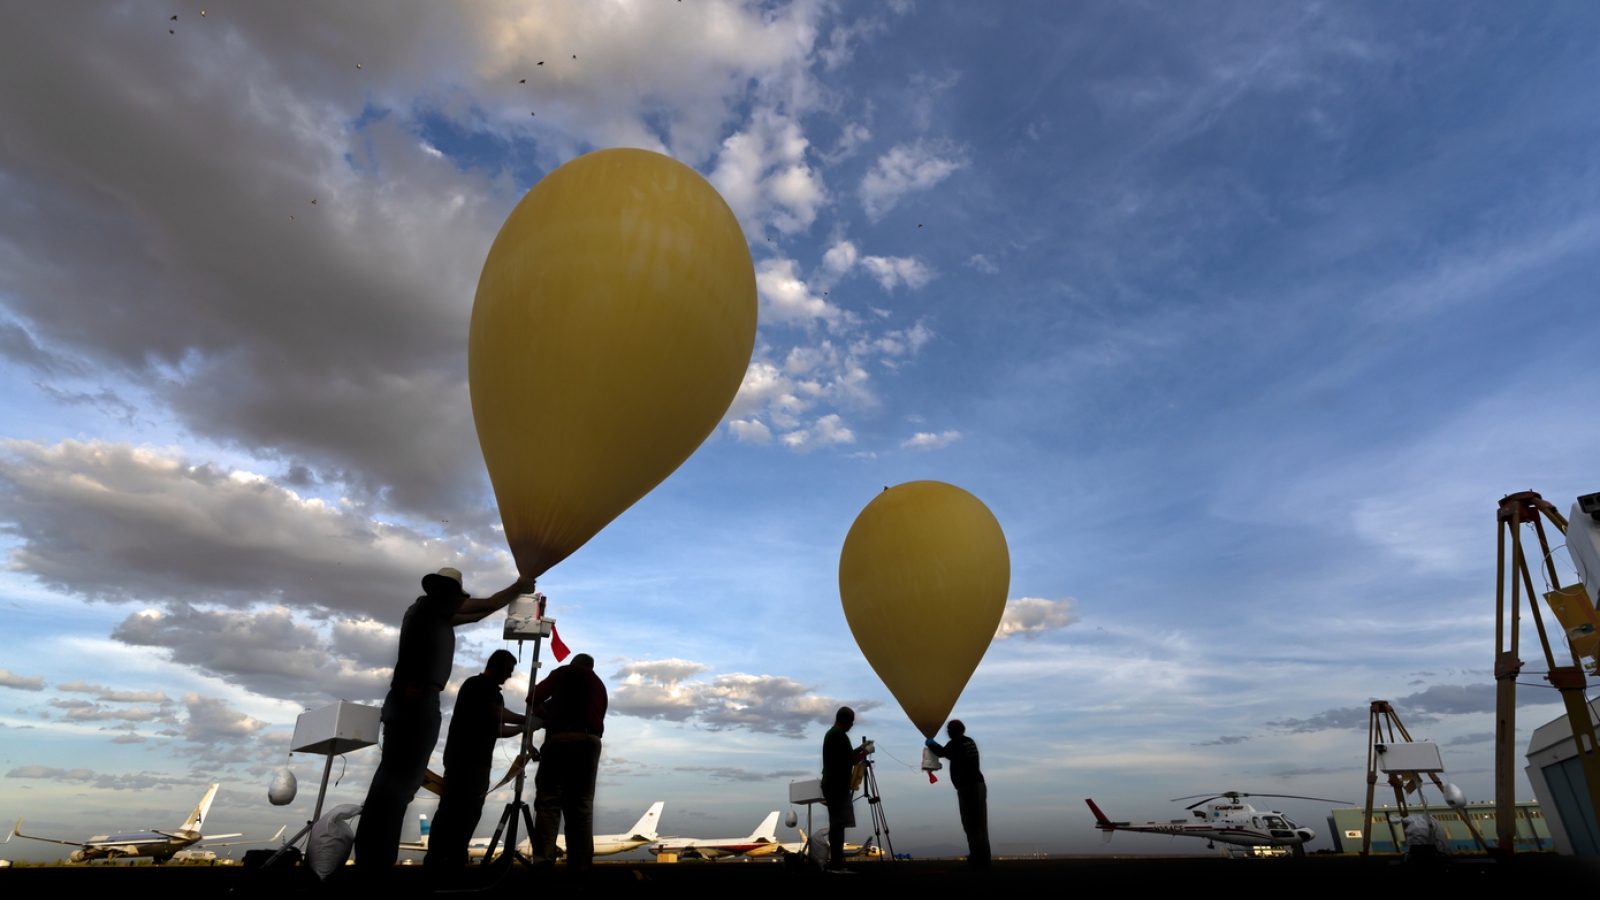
(612,329)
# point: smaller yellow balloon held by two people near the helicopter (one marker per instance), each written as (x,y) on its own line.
(924,579)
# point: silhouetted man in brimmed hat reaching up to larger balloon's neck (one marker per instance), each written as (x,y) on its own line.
(428,653)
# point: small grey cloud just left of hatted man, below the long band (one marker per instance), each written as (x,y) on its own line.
(270,653)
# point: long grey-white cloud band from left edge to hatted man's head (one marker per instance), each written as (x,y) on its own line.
(119,523)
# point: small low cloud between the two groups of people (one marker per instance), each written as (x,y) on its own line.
(663,689)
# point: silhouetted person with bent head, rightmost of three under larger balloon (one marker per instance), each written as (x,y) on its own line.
(572,702)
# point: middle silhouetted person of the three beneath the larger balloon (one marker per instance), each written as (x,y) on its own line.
(478,723)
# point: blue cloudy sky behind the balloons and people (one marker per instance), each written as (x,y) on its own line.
(1241,319)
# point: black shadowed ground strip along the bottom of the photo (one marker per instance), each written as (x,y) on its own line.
(766,880)
